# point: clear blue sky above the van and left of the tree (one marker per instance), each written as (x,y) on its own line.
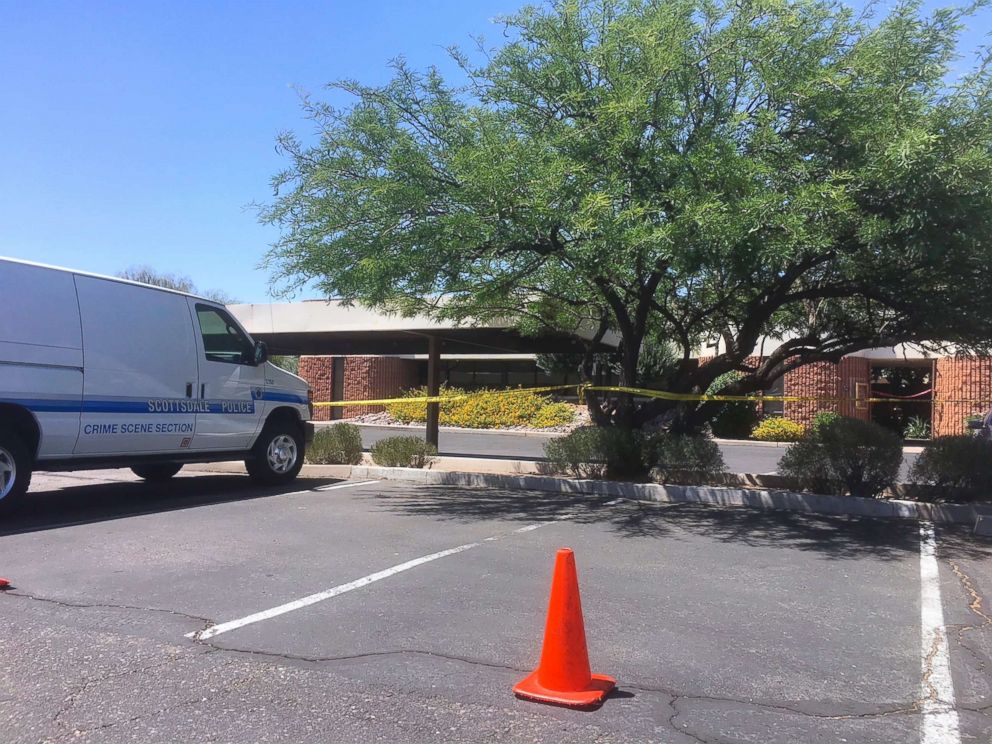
(138,133)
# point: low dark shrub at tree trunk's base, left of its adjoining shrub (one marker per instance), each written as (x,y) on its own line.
(595,452)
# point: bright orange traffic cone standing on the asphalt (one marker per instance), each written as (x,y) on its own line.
(563,677)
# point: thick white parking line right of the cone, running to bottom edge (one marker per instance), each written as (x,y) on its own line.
(940,719)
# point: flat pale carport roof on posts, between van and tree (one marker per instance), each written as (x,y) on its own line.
(331,328)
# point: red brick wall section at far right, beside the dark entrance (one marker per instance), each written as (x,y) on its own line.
(960,379)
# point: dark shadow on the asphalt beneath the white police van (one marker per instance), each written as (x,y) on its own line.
(98,502)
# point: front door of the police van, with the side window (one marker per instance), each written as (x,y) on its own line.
(231,386)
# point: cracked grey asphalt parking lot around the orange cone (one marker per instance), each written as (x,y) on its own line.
(720,625)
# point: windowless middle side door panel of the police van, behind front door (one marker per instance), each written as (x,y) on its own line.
(139,375)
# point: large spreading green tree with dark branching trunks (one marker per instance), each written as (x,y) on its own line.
(681,170)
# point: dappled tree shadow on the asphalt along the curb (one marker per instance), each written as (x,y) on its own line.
(834,537)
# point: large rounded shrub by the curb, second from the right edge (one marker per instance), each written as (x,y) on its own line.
(848,455)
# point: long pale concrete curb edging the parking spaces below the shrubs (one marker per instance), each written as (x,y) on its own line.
(765,499)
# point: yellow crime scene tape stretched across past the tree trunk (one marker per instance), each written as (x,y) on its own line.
(582,389)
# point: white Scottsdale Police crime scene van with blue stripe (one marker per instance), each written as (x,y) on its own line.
(101,372)
